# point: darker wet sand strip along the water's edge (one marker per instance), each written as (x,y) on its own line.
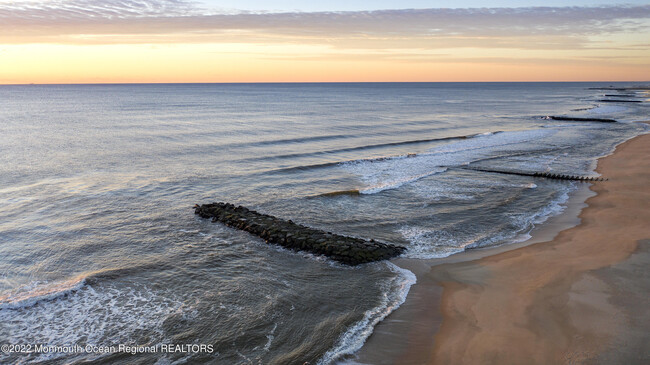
(409,324)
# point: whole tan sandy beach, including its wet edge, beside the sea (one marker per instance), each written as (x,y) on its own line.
(581,298)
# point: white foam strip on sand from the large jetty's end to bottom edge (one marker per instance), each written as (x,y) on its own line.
(394,295)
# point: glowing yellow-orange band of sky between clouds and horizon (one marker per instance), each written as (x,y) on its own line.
(206,62)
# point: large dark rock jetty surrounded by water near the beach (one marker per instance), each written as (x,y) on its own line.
(348,250)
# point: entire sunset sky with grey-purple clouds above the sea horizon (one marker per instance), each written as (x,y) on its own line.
(142,41)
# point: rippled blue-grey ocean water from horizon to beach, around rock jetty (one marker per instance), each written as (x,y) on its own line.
(99,244)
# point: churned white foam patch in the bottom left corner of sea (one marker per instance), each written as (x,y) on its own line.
(102,316)
